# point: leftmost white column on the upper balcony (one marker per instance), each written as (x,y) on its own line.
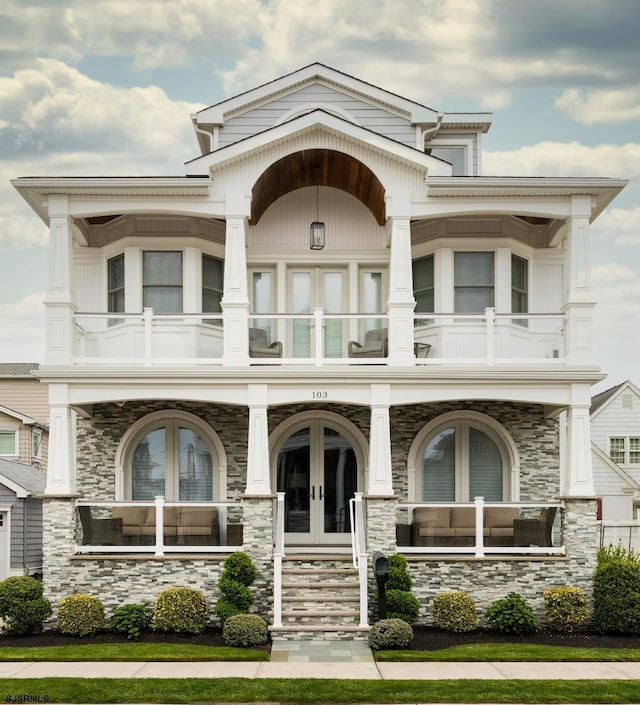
(59,299)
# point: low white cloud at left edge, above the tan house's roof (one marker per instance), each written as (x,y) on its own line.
(23,330)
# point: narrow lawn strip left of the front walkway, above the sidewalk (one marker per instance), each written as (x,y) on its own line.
(131,651)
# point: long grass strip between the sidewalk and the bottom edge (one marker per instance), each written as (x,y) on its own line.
(189,690)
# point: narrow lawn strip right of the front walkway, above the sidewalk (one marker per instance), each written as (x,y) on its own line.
(512,652)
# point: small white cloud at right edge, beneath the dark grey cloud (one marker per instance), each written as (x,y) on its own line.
(601,106)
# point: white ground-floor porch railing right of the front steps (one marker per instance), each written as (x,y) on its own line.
(479,528)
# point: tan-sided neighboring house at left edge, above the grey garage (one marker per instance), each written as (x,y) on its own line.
(24,414)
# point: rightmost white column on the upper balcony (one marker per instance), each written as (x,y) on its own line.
(578,296)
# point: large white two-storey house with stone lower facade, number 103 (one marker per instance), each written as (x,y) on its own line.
(333,336)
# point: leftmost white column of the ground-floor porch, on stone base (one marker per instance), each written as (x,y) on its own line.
(61,465)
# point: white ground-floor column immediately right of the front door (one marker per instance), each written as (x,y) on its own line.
(380,481)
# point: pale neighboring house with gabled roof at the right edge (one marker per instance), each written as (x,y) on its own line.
(615,443)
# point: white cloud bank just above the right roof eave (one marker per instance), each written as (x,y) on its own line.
(565,159)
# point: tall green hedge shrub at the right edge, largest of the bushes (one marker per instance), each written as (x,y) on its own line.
(616,591)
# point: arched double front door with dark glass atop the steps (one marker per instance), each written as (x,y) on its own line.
(317,471)
